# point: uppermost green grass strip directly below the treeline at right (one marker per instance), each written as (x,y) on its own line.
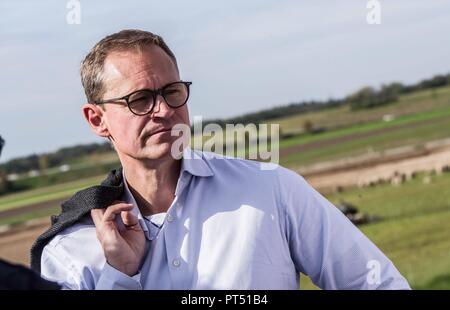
(342,120)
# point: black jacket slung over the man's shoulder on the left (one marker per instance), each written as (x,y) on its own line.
(77,207)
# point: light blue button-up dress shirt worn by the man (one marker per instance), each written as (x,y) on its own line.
(232,225)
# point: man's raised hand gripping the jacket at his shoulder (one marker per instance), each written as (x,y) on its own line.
(125,249)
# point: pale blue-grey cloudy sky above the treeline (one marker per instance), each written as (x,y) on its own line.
(242,56)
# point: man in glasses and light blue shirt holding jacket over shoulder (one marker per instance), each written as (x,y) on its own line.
(199,222)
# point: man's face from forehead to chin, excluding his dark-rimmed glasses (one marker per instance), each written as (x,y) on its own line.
(125,72)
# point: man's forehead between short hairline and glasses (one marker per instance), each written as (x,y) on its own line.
(149,67)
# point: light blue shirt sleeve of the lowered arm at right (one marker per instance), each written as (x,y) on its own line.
(325,245)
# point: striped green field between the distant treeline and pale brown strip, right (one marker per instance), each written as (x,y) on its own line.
(418,118)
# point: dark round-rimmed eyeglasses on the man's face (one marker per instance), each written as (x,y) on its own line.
(142,102)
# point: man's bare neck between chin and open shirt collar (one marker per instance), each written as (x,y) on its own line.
(152,185)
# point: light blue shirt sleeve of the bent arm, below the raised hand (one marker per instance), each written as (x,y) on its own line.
(57,267)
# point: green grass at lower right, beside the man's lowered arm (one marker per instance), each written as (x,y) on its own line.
(414,230)
